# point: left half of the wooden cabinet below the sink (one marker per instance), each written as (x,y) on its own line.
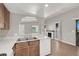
(22,49)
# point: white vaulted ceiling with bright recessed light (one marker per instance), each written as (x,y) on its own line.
(39,9)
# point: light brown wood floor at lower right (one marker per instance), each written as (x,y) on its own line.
(63,49)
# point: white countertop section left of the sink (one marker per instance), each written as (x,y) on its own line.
(6,45)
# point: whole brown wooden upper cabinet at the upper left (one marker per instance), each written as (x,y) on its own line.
(4,17)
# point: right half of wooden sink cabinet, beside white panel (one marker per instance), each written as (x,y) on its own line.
(34,48)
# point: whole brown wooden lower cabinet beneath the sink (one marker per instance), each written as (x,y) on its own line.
(30,48)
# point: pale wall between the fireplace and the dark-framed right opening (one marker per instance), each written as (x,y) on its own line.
(68,25)
